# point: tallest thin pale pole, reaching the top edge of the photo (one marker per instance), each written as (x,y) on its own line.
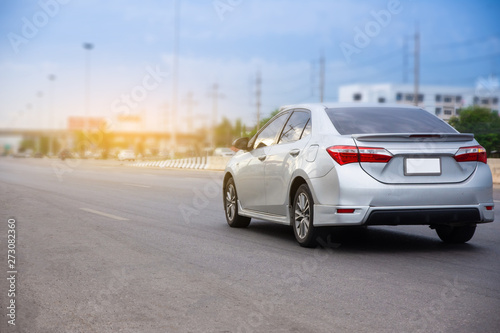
(175,76)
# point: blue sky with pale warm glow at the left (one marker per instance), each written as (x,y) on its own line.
(226,42)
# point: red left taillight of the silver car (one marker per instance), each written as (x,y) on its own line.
(352,154)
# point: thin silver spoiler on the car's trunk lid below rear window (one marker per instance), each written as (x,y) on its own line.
(405,137)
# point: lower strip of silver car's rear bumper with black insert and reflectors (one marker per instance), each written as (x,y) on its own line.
(325,215)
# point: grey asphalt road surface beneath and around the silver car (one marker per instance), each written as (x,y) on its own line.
(106,247)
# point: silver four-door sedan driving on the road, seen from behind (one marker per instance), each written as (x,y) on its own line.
(315,166)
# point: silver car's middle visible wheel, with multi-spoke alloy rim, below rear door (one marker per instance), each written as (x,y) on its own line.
(303,218)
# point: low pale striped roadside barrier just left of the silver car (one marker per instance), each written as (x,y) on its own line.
(199,163)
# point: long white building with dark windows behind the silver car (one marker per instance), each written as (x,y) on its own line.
(442,101)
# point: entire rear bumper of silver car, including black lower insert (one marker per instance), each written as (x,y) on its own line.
(376,203)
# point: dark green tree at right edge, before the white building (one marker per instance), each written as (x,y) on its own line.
(484,123)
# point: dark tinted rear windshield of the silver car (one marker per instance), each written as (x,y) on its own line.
(366,120)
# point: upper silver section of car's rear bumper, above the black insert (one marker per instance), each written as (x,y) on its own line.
(349,185)
